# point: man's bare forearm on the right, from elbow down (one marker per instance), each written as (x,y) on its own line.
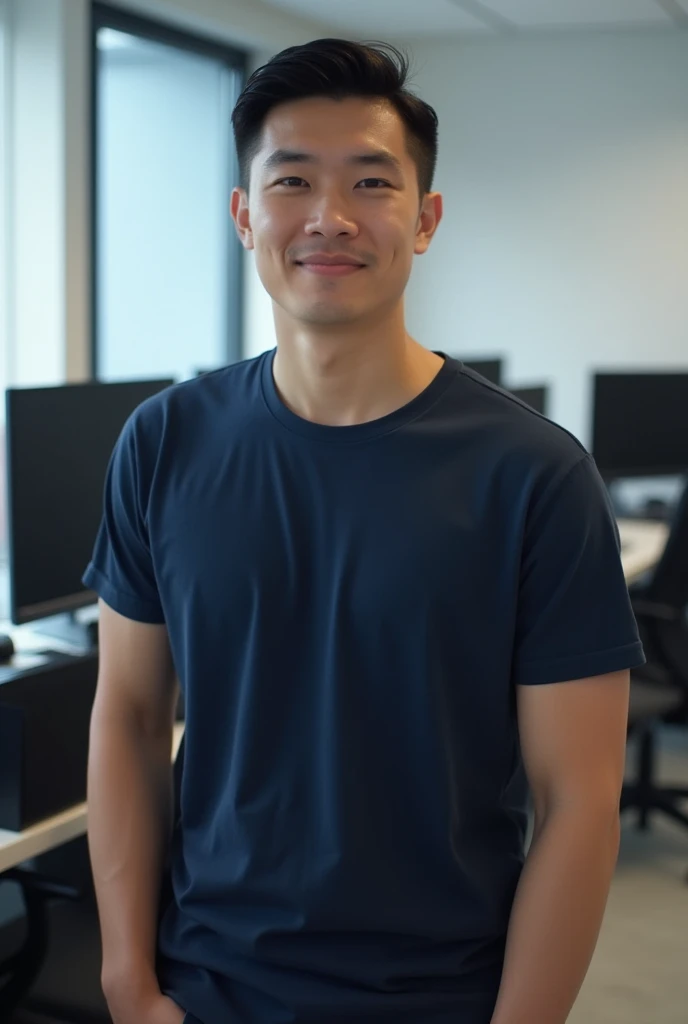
(556,917)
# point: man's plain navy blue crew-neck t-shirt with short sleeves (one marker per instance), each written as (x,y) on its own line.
(350,612)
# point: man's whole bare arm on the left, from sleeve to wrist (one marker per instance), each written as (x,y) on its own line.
(131,799)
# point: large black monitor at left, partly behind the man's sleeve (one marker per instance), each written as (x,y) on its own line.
(60,441)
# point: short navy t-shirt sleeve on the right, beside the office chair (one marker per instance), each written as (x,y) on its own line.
(574,617)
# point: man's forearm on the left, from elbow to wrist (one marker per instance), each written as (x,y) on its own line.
(130,824)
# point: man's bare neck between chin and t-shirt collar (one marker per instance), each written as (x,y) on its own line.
(341,377)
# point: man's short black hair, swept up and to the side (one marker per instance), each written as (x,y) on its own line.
(336,69)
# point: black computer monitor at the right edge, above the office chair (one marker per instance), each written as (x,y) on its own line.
(640,424)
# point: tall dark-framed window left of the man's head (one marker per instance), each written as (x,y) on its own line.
(167,289)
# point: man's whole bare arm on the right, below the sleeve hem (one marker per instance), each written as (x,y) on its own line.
(574,741)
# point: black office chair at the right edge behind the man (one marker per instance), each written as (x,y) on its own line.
(660,690)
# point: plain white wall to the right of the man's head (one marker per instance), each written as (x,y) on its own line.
(565,167)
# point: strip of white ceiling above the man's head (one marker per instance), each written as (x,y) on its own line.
(485,18)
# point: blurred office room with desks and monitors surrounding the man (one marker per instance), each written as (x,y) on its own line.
(560,273)
